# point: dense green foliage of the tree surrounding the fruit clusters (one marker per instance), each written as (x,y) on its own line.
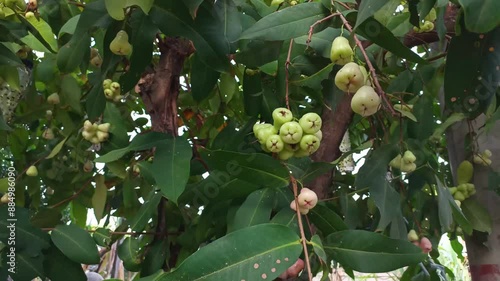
(220,206)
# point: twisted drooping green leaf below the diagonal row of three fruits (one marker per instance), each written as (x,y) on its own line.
(373,175)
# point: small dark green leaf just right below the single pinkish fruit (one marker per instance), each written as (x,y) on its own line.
(326,220)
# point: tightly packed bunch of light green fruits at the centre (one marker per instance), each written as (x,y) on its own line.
(290,138)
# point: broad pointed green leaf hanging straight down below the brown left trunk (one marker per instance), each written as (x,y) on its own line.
(171,166)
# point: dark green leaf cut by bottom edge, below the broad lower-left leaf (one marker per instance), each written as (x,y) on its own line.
(55,260)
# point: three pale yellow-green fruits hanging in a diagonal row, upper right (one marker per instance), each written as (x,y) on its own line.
(353,78)
